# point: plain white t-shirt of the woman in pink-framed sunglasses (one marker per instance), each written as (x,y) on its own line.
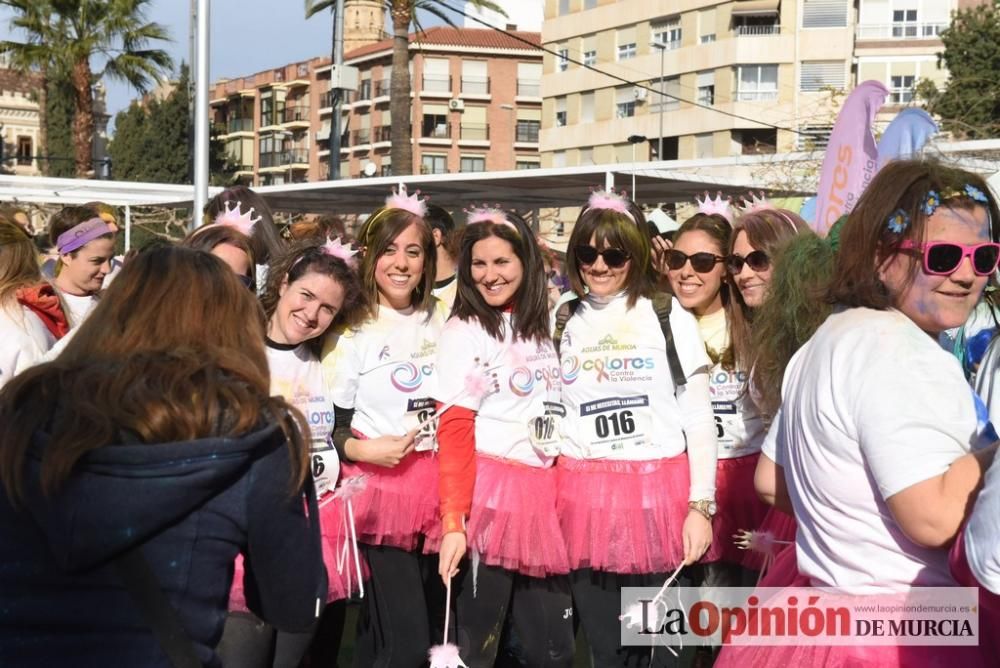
(871,406)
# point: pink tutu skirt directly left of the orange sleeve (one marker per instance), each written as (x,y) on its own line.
(398,505)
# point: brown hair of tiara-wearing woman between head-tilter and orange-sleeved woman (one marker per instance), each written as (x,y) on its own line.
(376,235)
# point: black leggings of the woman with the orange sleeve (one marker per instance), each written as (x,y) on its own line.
(540,610)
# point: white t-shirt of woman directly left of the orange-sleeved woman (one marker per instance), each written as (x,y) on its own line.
(385,371)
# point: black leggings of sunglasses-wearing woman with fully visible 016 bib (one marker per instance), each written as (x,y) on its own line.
(597,596)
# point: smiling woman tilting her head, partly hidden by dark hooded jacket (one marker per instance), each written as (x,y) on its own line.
(311,288)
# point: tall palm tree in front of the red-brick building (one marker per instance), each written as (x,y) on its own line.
(403,14)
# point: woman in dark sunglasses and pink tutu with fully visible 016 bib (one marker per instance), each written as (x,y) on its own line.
(636,477)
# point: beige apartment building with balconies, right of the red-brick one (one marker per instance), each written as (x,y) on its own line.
(688,79)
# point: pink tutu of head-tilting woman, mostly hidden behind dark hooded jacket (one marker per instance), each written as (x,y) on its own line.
(341,569)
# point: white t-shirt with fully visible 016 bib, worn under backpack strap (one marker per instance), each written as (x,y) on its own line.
(617,387)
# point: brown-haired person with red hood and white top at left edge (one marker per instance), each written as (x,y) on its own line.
(31,317)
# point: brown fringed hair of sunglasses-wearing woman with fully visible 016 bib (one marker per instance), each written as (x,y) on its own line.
(614,230)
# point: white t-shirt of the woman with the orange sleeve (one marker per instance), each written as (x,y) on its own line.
(513,386)
